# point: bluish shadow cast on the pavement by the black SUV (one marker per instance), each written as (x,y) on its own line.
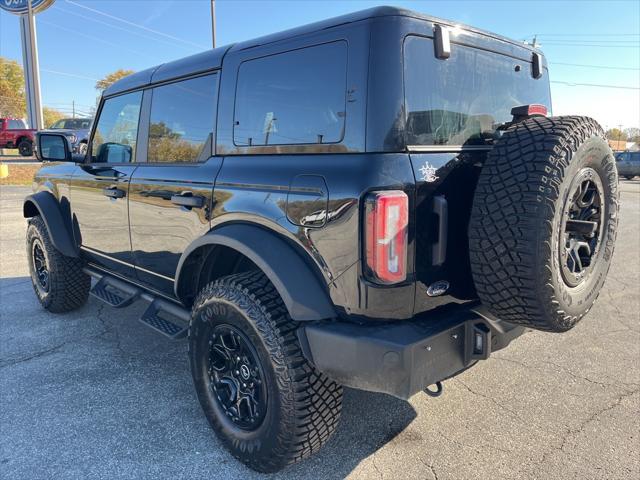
(94,392)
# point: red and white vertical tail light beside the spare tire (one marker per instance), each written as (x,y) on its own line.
(387,218)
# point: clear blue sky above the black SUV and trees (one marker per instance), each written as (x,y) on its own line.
(82,40)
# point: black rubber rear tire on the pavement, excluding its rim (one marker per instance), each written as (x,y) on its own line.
(303,406)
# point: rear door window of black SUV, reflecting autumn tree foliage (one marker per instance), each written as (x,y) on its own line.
(182,120)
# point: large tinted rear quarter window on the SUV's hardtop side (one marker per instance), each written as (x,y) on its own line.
(292,98)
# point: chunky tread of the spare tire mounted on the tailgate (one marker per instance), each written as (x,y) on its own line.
(511,224)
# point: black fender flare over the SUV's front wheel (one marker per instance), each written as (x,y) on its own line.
(46,205)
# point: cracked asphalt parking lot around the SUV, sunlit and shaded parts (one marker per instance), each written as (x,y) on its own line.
(96,394)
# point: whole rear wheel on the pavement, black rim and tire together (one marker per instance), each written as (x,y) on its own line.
(268,405)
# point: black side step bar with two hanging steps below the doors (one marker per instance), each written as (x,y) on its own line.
(165,317)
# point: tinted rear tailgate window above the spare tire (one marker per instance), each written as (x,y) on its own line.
(463,99)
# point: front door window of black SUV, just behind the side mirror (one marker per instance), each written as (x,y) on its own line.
(114,140)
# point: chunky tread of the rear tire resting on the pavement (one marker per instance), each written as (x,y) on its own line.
(310,401)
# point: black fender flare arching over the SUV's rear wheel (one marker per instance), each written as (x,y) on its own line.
(304,295)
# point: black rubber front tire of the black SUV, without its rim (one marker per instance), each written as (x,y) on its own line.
(68,286)
